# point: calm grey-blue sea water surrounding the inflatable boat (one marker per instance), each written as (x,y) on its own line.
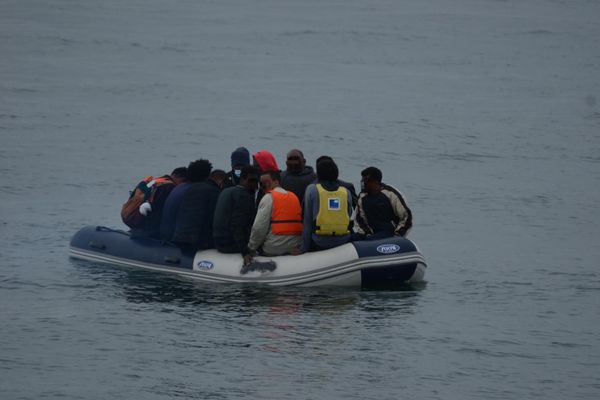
(484,113)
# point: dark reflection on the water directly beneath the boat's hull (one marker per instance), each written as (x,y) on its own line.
(140,286)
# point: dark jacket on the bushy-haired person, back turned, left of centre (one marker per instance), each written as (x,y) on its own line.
(194,226)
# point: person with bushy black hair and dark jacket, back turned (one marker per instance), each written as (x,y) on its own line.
(193,225)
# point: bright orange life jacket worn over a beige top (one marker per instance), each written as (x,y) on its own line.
(286,216)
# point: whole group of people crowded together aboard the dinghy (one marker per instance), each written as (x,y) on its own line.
(256,208)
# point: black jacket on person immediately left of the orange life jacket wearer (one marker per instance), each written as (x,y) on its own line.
(234,216)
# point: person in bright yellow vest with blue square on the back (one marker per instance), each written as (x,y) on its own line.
(327,210)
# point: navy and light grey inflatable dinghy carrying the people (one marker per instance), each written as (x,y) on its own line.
(378,263)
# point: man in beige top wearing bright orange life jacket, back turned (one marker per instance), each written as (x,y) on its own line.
(277,228)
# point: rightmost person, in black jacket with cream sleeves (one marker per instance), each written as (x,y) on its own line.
(381,210)
